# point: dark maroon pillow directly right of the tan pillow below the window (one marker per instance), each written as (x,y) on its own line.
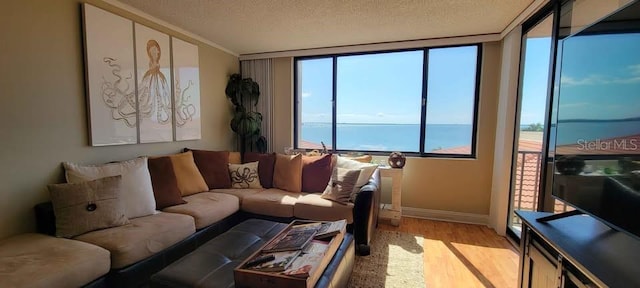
(316,172)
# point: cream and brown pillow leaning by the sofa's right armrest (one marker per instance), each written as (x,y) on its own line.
(342,184)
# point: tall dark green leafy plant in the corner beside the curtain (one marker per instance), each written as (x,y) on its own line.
(246,122)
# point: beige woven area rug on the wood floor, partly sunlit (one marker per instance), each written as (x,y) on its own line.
(396,260)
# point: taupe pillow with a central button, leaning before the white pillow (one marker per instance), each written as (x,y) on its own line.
(87,206)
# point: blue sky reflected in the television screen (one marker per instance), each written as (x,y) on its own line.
(600,77)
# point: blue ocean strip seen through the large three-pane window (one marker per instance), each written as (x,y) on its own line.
(388,137)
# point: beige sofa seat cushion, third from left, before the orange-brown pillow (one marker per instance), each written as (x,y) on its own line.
(207,207)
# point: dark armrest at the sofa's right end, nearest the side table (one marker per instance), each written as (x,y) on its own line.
(365,213)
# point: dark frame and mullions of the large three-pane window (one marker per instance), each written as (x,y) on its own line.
(297,101)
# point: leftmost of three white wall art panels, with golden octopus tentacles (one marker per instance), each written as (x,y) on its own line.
(109,59)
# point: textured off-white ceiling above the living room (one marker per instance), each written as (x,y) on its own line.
(256,26)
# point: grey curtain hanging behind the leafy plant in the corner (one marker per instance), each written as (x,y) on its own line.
(261,71)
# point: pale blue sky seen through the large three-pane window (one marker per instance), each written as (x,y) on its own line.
(387,88)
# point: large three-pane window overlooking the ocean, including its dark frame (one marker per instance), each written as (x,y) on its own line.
(420,102)
